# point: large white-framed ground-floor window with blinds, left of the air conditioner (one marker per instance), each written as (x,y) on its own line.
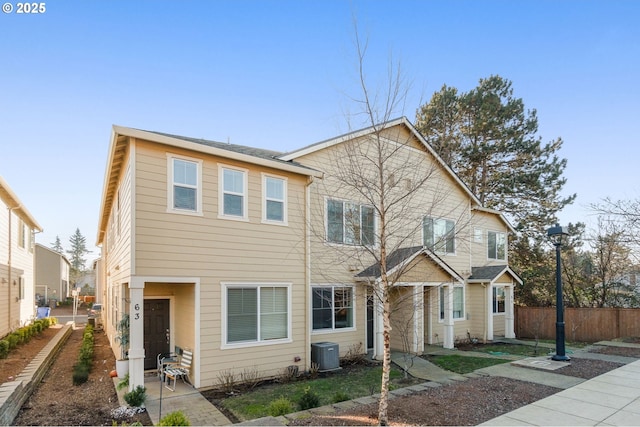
(256,313)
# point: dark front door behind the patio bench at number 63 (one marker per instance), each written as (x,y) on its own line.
(156,330)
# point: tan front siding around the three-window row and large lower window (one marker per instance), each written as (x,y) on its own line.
(217,251)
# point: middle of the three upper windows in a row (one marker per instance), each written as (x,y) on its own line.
(232,193)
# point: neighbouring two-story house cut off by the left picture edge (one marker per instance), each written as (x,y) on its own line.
(17,228)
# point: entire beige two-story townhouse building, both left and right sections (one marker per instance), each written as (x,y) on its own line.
(250,257)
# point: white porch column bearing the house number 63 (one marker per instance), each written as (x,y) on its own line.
(136,345)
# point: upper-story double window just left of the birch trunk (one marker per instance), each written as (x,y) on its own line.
(349,223)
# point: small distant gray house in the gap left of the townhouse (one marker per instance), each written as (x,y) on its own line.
(52,275)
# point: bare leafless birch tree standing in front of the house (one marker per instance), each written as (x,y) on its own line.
(396,183)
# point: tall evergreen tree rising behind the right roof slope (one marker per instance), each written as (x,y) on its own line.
(491,142)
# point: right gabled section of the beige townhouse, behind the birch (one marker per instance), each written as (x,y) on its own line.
(446,253)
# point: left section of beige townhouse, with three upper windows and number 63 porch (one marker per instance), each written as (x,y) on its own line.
(204,248)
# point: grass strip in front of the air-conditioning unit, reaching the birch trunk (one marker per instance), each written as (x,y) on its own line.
(351,383)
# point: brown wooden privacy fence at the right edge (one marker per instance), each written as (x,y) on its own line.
(581,324)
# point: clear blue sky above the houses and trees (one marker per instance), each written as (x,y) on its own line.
(279,75)
